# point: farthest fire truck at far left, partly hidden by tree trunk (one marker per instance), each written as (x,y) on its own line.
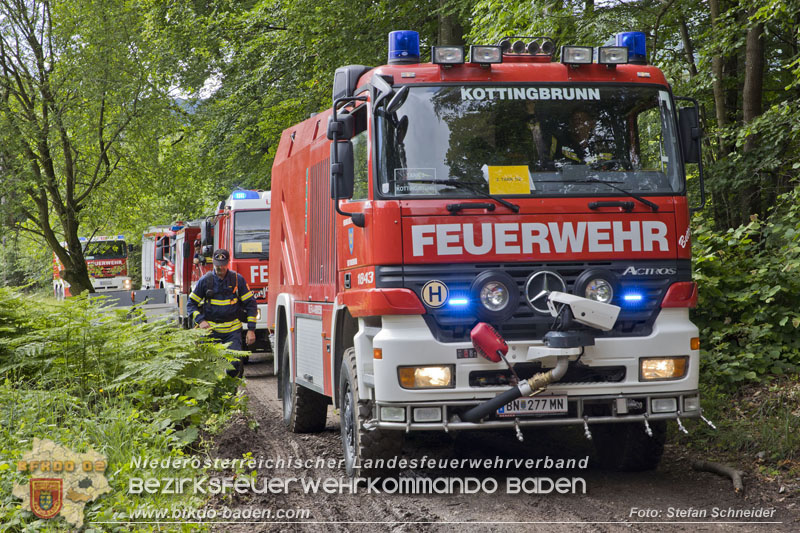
(107,262)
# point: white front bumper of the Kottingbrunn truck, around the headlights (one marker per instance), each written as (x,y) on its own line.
(407,340)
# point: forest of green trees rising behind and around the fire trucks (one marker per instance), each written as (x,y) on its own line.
(122,114)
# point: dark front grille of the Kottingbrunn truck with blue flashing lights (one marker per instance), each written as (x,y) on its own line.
(449,324)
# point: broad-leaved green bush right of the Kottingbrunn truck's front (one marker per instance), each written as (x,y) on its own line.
(747,310)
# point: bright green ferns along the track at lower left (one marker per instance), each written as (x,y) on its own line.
(92,378)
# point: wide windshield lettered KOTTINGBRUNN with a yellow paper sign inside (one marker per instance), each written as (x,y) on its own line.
(521,140)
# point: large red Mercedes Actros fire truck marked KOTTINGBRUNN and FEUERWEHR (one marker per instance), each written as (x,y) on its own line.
(510,191)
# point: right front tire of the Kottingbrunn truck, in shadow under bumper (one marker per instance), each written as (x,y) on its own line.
(627,448)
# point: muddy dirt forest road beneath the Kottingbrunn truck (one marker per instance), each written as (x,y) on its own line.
(673,498)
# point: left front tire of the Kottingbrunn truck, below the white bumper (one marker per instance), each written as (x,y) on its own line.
(359,444)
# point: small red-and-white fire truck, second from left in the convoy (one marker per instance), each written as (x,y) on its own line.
(158,259)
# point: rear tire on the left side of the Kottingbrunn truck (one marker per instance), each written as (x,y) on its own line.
(304,410)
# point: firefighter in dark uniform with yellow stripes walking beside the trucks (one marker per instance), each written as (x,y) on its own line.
(215,304)
